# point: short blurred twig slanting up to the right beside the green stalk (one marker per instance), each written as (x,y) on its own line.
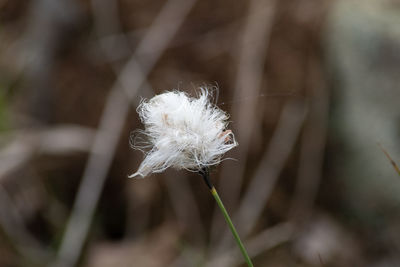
(271,165)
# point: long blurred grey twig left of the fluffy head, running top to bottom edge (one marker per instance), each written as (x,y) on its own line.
(115,112)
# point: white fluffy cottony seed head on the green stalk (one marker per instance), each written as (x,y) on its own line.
(181,132)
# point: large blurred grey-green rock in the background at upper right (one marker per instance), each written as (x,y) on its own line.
(362,42)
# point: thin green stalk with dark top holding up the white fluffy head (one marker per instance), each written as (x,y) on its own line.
(206,176)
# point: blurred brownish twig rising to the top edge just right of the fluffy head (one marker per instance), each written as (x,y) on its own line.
(252,52)
